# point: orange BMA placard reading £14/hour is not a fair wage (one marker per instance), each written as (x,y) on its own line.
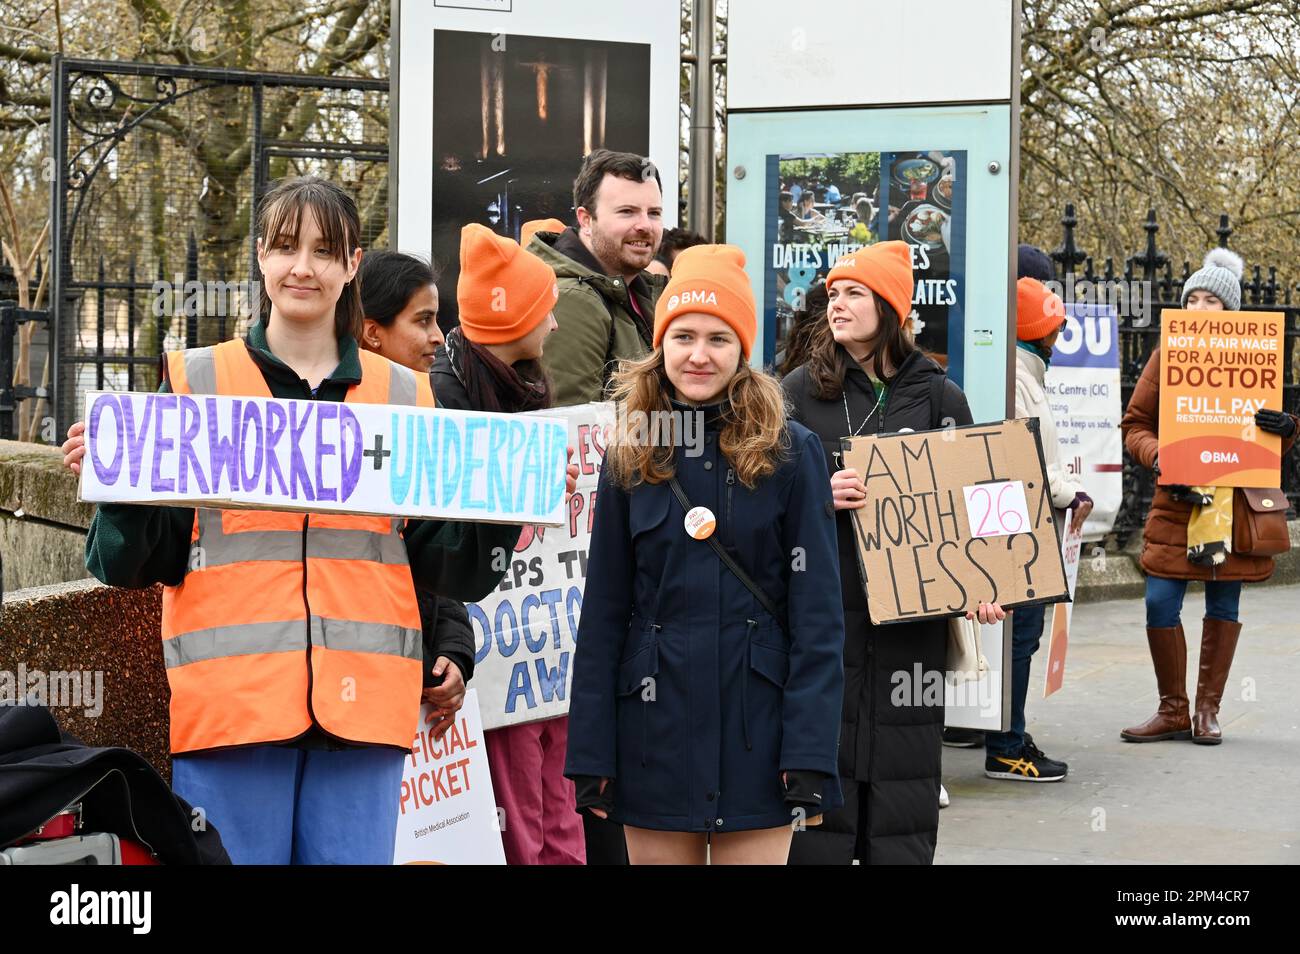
(1216,371)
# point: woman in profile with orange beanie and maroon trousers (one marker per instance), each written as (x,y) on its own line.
(491,362)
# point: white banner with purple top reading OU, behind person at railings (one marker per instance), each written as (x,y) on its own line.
(1084,391)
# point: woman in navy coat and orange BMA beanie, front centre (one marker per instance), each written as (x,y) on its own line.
(699,718)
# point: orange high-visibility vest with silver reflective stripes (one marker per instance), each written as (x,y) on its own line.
(291,621)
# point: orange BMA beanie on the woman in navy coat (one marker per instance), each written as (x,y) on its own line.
(709,280)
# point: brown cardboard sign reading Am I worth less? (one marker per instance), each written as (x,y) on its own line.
(956,518)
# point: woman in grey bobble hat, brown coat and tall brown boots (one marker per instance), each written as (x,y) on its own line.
(1189,536)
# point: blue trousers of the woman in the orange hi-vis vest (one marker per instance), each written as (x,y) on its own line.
(291,806)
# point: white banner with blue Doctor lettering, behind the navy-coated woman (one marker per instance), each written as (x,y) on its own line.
(526,631)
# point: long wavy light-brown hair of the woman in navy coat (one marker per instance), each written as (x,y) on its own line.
(753,436)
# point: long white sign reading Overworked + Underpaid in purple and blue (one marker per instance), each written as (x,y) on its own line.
(324,457)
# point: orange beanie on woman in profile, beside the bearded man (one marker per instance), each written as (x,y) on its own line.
(504,292)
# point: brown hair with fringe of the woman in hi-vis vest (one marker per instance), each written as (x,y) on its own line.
(280,215)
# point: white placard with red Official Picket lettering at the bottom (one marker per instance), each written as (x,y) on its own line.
(448,814)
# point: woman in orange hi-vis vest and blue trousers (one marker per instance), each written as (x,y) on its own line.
(293,640)
